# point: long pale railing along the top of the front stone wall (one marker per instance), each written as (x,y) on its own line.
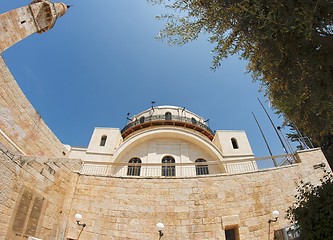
(184,169)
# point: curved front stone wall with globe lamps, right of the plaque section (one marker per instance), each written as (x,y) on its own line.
(191,208)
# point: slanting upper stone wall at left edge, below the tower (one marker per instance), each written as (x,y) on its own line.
(21,127)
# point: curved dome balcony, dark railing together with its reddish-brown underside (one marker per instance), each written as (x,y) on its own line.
(158,120)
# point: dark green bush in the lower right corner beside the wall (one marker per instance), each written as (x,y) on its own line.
(313,210)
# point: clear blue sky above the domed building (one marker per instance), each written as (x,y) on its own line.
(101,61)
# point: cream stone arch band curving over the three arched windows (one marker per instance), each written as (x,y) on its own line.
(168,132)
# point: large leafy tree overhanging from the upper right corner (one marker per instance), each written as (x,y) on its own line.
(288,45)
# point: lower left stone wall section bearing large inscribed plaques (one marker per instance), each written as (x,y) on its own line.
(35,195)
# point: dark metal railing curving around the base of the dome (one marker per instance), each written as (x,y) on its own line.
(153,118)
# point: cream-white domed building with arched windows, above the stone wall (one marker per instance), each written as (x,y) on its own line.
(166,132)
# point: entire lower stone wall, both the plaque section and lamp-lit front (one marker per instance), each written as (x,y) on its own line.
(39,196)
